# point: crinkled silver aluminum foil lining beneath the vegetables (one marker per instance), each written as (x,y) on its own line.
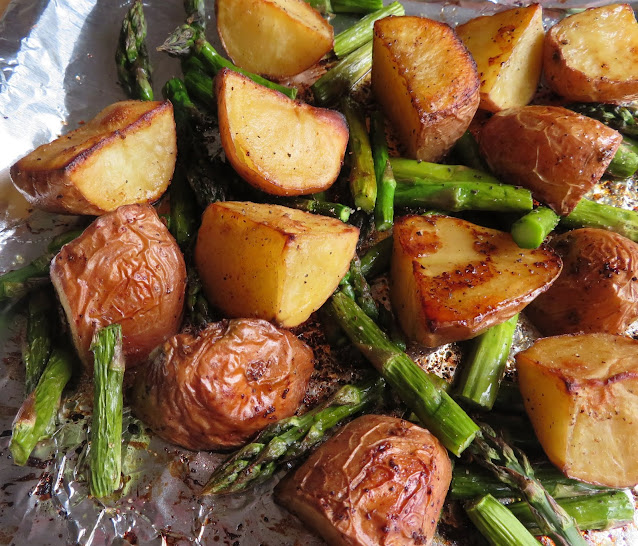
(57,70)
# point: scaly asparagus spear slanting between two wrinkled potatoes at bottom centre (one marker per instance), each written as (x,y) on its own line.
(290,438)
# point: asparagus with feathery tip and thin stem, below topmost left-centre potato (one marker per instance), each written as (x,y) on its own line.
(190,40)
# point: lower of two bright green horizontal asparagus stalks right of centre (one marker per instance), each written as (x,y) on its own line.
(458,196)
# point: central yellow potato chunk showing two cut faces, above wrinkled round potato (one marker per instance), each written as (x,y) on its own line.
(271,262)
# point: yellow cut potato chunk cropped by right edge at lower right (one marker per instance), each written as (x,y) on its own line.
(580,394)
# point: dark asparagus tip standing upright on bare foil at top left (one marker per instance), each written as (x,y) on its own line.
(131,55)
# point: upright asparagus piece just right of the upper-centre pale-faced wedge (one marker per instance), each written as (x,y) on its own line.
(363,183)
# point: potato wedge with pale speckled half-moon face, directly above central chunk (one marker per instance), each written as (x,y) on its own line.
(278,145)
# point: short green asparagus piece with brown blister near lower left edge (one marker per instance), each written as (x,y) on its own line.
(37,414)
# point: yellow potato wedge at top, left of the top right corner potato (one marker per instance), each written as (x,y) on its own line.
(508,50)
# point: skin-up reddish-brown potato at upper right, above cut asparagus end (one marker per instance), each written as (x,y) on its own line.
(557,154)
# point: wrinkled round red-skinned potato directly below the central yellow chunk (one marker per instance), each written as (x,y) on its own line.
(216,390)
